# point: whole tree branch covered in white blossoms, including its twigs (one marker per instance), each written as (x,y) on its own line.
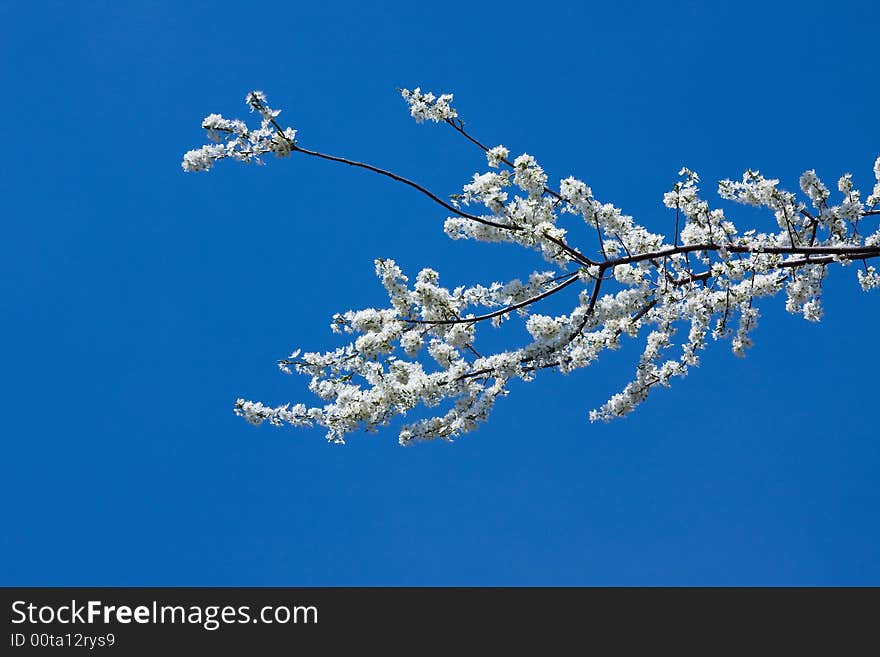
(703,282)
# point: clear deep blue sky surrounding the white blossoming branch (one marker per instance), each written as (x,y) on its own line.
(139,302)
